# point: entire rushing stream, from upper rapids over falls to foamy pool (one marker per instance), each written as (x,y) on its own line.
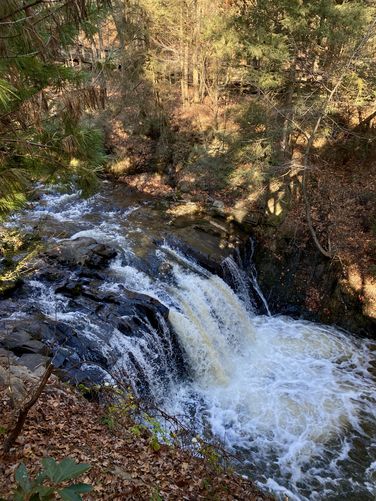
(295,399)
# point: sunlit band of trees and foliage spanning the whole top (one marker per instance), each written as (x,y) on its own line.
(277,60)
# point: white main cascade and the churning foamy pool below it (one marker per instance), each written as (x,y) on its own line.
(280,388)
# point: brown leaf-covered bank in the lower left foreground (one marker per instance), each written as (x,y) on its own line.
(124,466)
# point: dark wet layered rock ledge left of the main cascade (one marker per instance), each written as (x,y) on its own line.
(76,270)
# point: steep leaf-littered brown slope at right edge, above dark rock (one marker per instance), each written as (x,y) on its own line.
(343,209)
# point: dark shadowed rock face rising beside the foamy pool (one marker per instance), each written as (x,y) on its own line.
(300,282)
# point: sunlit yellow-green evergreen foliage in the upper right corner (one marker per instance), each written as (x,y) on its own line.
(296,51)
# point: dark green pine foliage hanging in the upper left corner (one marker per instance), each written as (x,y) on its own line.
(43,99)
